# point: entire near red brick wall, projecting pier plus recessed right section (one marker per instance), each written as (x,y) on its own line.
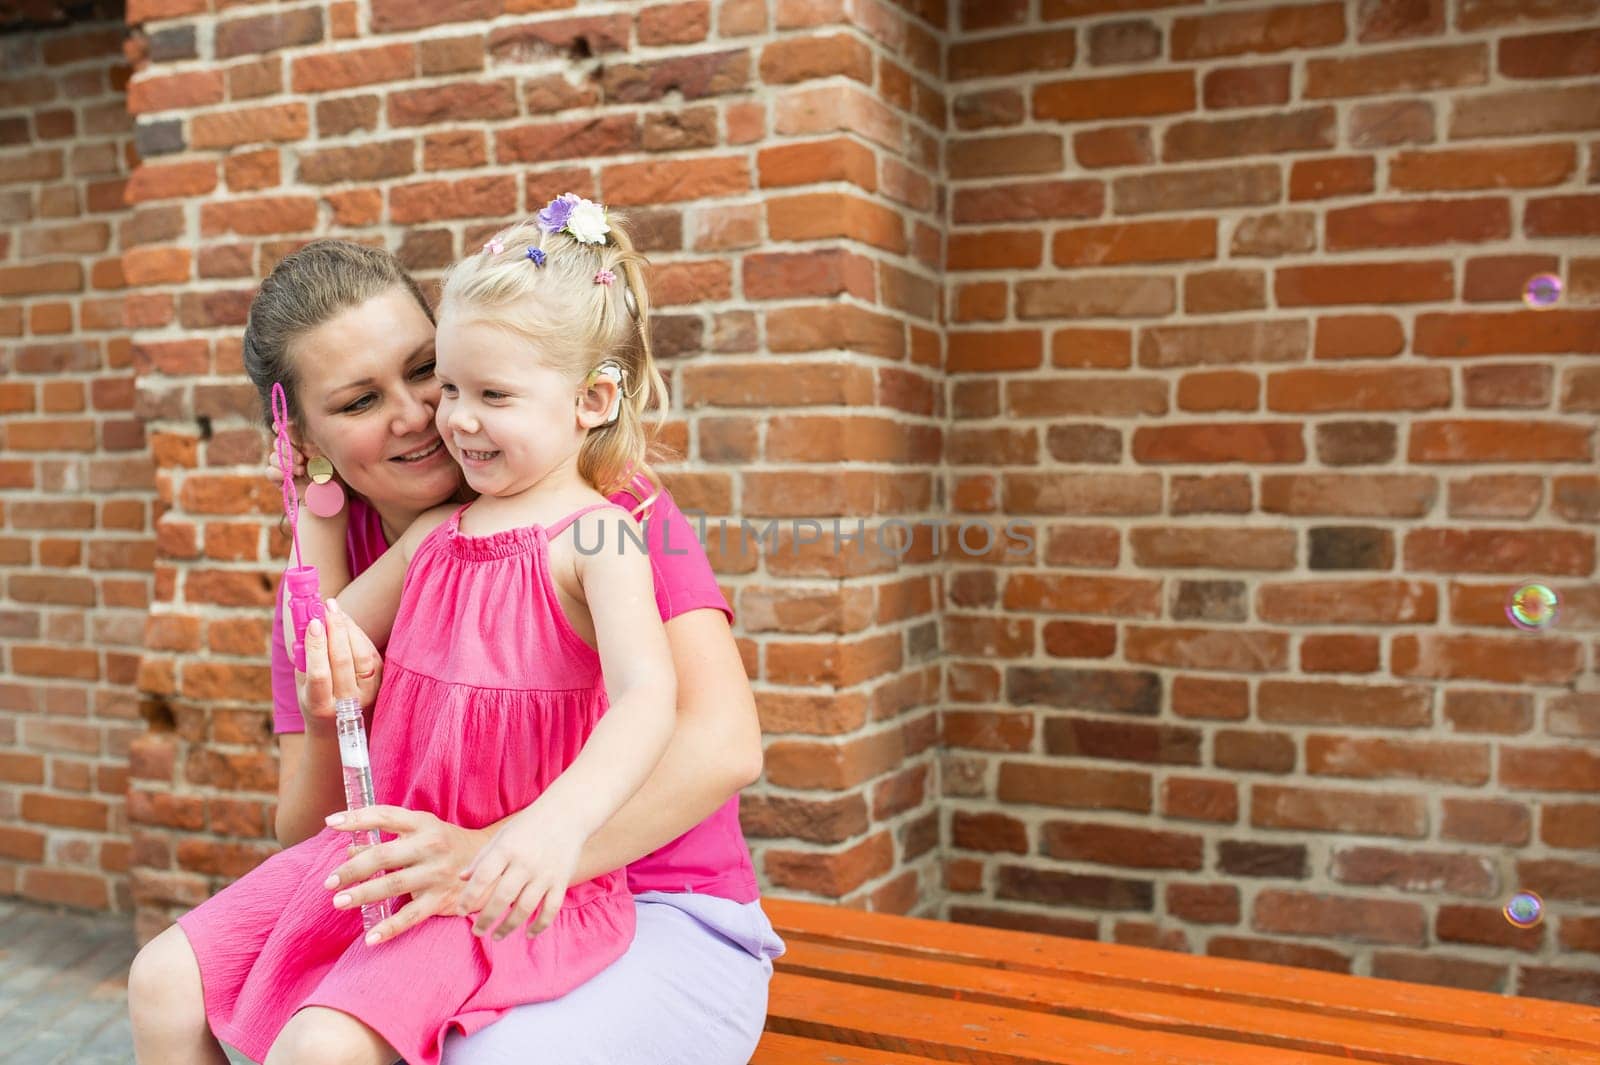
(1204,293)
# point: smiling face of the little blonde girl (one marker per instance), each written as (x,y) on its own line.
(508,418)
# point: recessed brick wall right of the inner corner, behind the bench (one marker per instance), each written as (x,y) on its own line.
(1234,311)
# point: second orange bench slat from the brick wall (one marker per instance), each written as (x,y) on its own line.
(1161,1011)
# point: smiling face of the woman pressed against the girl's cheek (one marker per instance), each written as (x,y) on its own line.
(369,393)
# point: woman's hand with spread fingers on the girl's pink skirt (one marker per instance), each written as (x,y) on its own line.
(423,863)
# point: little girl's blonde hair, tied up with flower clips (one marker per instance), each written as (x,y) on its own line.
(578,325)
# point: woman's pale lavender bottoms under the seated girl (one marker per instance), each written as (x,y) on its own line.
(692,991)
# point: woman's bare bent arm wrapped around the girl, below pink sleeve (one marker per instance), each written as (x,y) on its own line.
(716,749)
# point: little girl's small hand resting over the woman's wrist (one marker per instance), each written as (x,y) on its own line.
(522,872)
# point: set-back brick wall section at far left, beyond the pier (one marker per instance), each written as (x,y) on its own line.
(76,479)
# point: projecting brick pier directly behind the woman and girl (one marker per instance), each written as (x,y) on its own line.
(783,164)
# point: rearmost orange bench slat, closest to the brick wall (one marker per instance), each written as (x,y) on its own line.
(1210,979)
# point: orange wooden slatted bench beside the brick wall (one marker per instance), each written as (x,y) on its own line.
(866,989)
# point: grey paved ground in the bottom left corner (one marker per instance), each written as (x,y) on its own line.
(65,987)
